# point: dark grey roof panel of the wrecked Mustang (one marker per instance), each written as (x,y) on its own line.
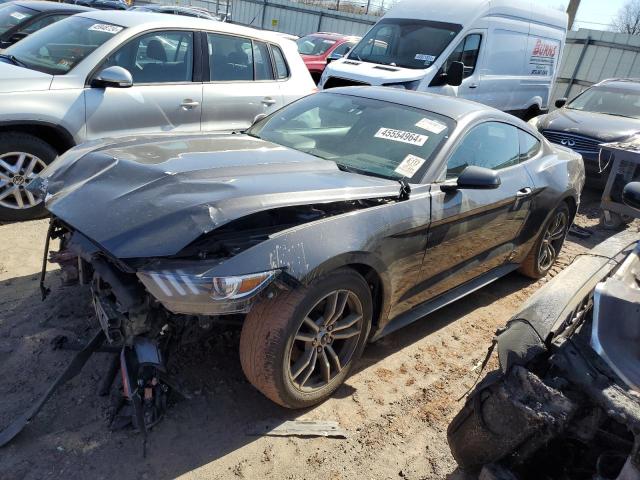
(451,107)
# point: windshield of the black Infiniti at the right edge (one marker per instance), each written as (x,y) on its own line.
(609,100)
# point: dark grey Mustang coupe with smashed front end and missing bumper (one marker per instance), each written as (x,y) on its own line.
(333,222)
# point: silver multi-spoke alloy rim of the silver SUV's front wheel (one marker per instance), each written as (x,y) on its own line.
(17,170)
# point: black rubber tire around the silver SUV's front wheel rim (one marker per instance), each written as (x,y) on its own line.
(22,142)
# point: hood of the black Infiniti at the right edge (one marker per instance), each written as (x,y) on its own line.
(596,125)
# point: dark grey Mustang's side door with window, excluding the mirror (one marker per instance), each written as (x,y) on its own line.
(476,231)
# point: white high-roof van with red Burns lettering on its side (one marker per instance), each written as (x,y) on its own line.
(503,53)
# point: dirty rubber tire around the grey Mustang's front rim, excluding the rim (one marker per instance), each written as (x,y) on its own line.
(270,329)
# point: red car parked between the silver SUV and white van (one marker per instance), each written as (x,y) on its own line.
(316,47)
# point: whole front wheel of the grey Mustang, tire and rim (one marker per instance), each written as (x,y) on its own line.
(299,347)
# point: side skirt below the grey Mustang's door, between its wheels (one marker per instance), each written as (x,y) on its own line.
(443,300)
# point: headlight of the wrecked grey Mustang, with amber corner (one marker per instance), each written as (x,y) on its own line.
(184,292)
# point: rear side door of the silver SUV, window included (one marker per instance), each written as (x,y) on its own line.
(241,85)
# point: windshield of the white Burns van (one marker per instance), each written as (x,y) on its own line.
(405,43)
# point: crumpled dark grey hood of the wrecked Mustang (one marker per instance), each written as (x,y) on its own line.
(151,197)
